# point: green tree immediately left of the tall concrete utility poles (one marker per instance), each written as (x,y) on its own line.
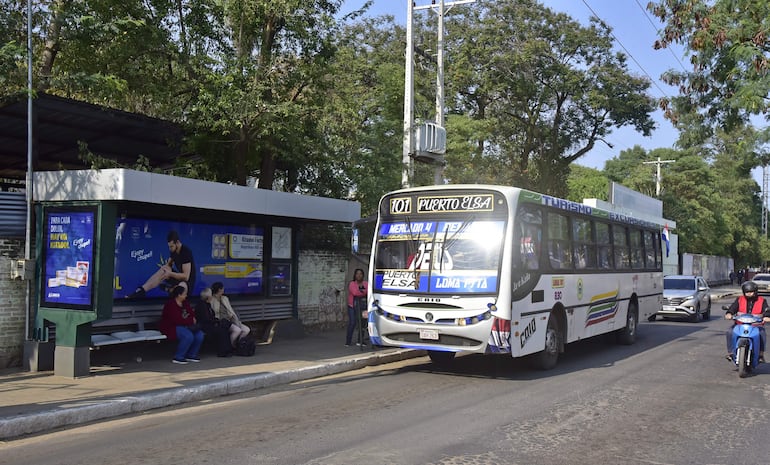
(362,115)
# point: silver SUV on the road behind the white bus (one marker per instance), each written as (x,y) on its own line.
(685,296)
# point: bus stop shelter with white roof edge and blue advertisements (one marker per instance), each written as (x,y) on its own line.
(101,232)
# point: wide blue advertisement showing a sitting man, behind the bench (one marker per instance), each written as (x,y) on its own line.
(232,255)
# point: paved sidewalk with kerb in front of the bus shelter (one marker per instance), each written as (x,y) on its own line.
(120,384)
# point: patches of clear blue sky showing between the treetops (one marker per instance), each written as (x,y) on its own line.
(635,31)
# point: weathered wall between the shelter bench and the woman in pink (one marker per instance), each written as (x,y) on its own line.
(321,296)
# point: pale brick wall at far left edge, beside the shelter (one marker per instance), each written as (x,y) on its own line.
(12,307)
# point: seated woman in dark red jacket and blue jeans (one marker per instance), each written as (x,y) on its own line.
(178,322)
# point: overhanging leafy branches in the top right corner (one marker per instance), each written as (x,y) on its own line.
(729,49)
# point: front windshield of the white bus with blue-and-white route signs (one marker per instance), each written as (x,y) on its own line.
(451,257)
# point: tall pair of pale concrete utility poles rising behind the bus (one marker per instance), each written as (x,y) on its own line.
(409,139)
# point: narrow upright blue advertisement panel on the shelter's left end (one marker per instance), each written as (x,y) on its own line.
(68,251)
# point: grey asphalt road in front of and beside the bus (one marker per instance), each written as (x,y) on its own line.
(668,399)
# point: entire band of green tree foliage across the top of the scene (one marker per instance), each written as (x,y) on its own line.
(291,94)
